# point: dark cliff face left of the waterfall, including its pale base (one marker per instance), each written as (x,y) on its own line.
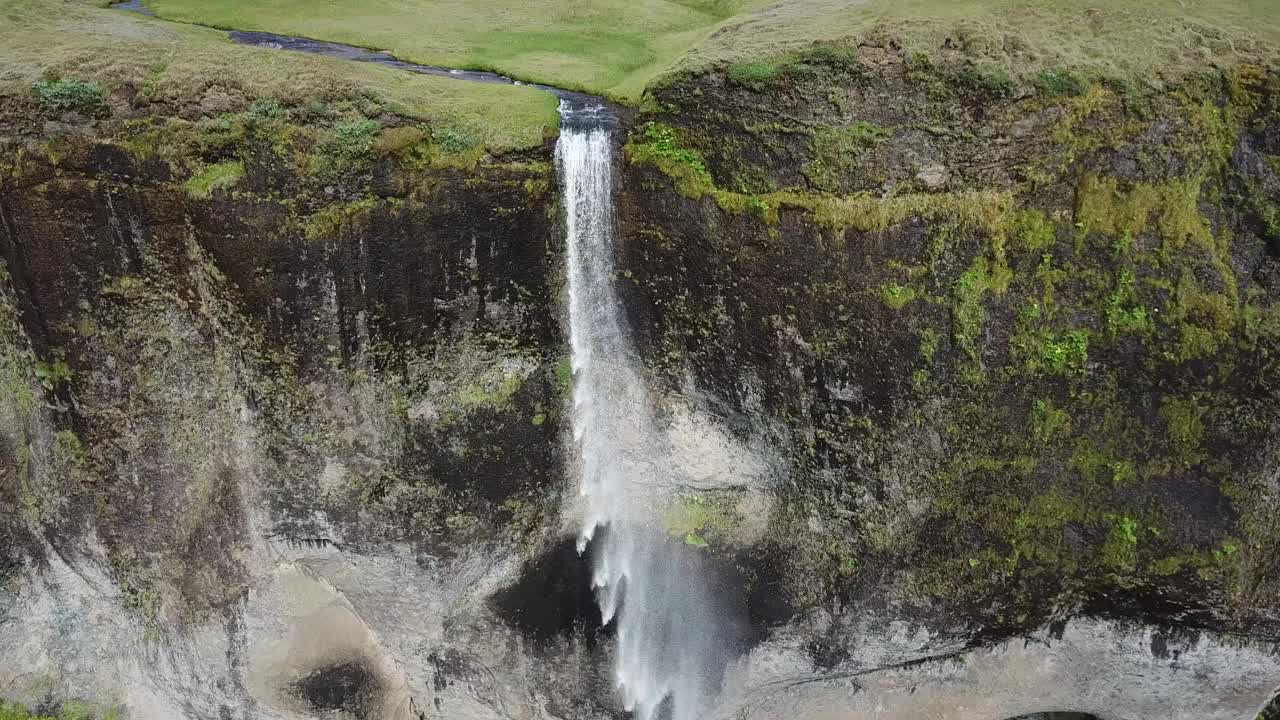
(241,350)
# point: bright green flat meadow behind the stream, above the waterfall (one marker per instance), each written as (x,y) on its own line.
(609,47)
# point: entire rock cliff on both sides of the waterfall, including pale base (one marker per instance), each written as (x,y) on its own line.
(285,414)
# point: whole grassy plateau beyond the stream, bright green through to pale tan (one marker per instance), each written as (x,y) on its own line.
(618,47)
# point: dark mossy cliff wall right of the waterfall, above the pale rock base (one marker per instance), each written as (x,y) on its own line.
(1021,352)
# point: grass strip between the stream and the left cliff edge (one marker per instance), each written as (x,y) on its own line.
(172,62)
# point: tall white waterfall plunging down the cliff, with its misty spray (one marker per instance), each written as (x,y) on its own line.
(675,632)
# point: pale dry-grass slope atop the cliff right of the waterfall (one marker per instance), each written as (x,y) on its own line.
(1139,40)
